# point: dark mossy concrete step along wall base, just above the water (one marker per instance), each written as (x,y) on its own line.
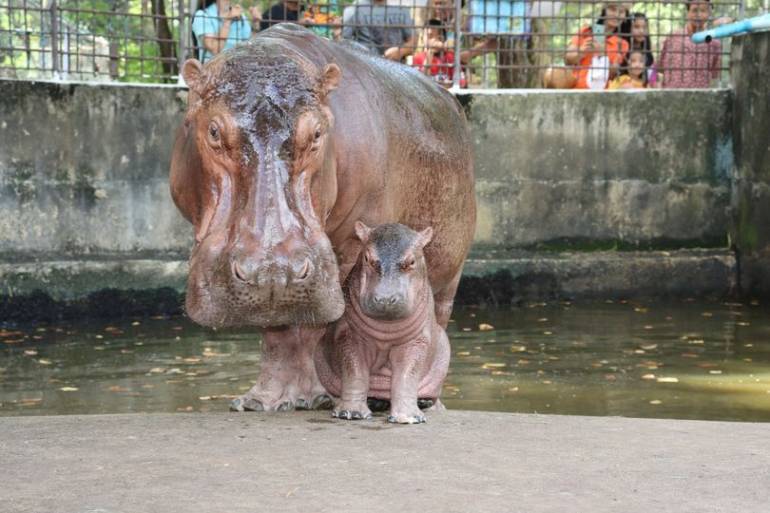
(53,289)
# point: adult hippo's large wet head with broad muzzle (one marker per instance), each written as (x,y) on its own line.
(253,170)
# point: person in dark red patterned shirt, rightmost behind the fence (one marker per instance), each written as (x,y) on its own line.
(686,64)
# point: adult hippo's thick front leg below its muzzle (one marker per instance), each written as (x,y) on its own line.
(287,378)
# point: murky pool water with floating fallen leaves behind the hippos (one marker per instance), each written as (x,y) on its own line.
(688,360)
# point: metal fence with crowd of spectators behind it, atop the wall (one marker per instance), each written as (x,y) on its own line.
(494,43)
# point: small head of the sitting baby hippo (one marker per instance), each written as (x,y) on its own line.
(392,274)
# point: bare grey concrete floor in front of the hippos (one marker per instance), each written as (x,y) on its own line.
(305,462)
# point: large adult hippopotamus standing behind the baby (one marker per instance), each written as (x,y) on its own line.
(288,140)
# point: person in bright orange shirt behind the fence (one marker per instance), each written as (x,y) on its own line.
(585,52)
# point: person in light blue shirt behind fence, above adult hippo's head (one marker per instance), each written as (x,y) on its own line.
(217,26)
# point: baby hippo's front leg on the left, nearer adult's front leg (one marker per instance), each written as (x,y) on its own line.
(354,370)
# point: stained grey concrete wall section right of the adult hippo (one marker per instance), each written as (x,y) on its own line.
(643,169)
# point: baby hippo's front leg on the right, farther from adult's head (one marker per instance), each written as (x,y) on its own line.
(408,363)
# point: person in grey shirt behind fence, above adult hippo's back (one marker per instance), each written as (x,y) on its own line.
(386,30)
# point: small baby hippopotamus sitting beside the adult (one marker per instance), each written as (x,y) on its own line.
(388,344)
